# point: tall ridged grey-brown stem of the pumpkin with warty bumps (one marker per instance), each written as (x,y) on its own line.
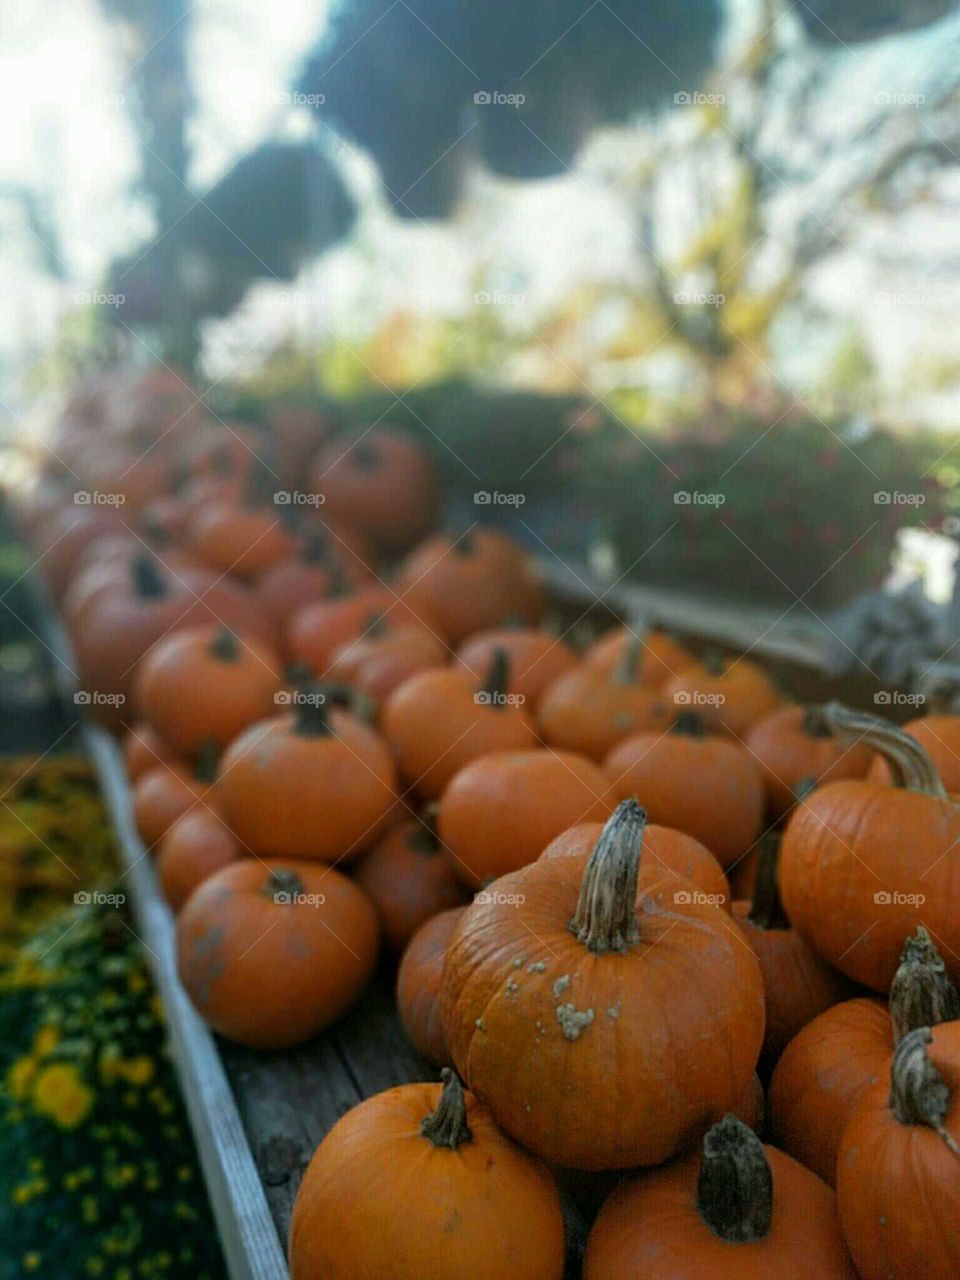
(606,915)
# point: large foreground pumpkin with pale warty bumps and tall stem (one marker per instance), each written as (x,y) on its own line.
(554,984)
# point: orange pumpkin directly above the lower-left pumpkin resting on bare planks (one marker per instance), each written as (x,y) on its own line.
(313,784)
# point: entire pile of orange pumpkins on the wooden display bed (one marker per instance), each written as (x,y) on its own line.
(644,911)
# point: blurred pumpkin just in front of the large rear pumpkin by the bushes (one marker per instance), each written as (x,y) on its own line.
(472,583)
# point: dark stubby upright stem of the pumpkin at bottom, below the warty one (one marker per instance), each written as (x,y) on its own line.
(735,1187)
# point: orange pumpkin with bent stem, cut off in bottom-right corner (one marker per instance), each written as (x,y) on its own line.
(899,1164)
